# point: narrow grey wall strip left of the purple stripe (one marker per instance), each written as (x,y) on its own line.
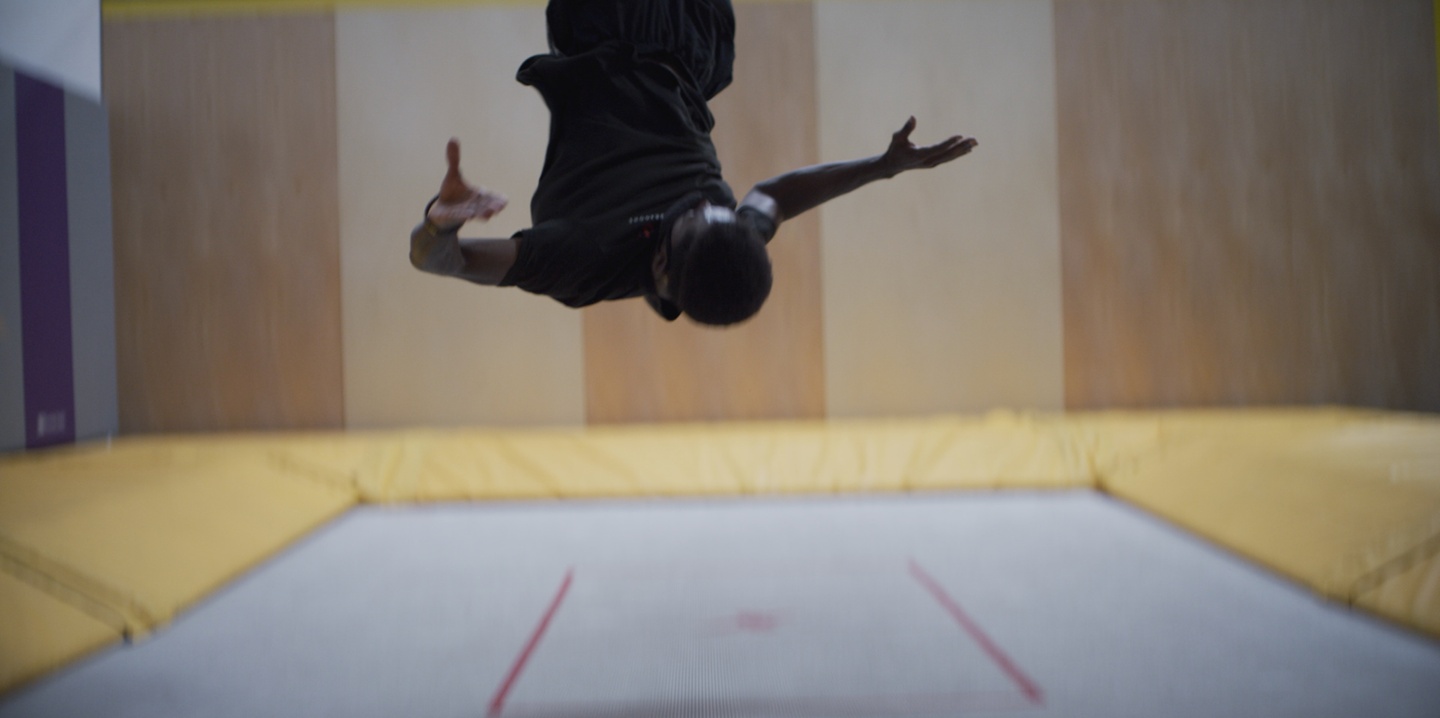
(12,369)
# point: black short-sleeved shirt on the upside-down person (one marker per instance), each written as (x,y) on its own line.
(630,150)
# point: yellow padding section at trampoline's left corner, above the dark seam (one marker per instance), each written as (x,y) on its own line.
(148,527)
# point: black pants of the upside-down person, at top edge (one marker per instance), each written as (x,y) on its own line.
(695,37)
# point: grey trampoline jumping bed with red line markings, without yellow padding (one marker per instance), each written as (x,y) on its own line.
(1019,604)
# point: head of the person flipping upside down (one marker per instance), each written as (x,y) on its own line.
(715,268)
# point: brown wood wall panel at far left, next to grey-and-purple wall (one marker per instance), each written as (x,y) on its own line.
(227,258)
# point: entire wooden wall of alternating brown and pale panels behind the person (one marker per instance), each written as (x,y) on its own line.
(1213,202)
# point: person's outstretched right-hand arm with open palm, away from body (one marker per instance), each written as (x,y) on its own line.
(797,192)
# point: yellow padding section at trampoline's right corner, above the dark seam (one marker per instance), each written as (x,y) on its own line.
(1337,500)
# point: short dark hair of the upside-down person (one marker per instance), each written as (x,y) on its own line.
(725,274)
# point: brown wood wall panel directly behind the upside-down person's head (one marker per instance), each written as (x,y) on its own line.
(642,369)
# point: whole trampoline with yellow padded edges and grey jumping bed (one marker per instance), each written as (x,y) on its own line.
(1186,563)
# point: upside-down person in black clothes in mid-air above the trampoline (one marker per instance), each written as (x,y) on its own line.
(631,201)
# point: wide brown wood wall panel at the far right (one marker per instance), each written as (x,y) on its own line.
(1251,201)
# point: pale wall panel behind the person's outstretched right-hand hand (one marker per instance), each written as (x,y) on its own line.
(942,287)
